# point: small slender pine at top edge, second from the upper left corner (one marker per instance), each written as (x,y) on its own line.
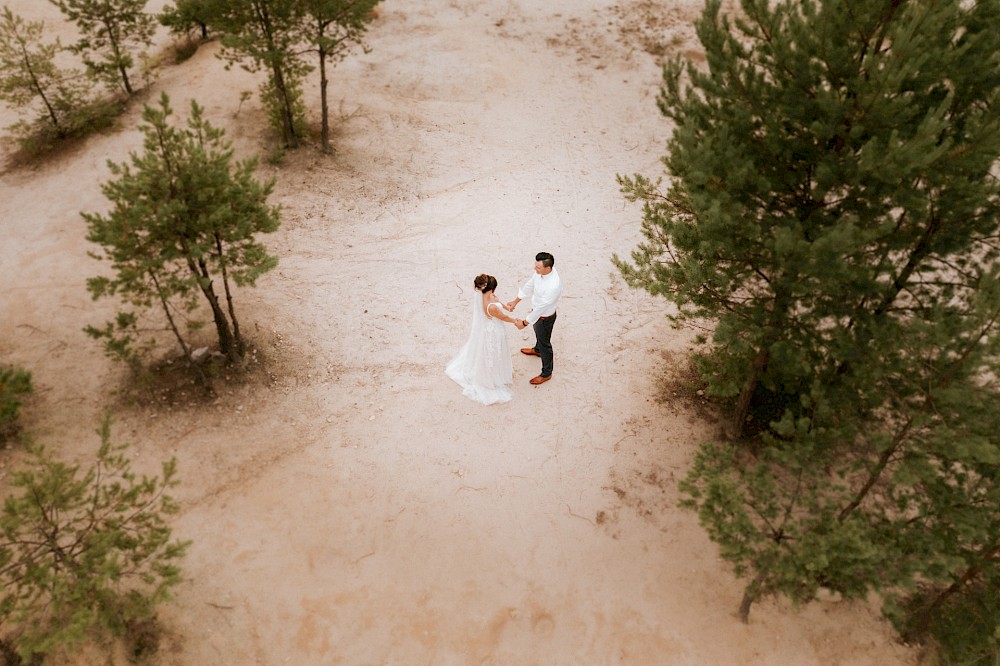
(112,30)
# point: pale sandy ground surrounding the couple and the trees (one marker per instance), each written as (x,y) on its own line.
(347,505)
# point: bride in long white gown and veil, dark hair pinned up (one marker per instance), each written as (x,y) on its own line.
(483,366)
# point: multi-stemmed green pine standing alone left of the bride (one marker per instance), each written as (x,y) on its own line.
(182,225)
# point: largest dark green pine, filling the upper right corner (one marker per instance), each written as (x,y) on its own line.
(819,174)
